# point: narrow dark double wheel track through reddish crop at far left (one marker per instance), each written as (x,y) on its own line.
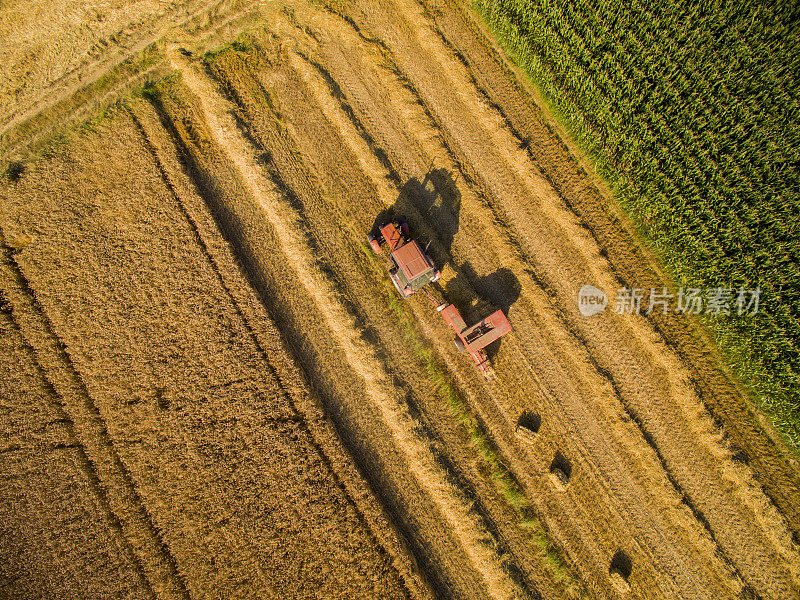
(104,442)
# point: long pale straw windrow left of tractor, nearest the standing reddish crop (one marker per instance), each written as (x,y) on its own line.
(361,358)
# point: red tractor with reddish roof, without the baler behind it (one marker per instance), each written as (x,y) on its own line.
(410,269)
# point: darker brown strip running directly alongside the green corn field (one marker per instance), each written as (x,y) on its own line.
(494,78)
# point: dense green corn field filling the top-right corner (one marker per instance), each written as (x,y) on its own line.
(690,111)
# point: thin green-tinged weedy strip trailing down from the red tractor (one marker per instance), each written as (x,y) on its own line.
(498,474)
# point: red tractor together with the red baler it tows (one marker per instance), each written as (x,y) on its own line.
(411,270)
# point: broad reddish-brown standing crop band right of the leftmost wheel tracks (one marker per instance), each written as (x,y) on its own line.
(224,475)
